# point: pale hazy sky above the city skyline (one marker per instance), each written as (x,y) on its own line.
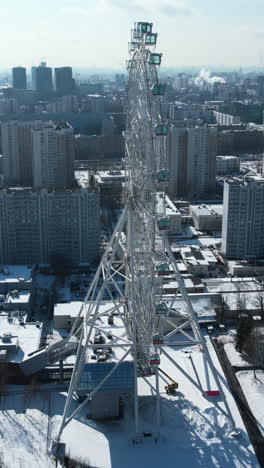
(94,33)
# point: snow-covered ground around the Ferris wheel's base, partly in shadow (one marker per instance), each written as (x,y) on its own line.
(195,430)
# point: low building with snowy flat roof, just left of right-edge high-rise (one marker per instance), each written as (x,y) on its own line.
(207,217)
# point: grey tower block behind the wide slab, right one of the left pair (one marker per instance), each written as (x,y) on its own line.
(53,156)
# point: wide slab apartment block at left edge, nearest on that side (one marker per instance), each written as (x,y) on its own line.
(36,225)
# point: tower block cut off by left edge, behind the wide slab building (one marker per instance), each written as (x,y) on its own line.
(17,151)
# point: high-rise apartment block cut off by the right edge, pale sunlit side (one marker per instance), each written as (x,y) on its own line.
(243,218)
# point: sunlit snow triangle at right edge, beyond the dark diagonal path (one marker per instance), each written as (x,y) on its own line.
(254,392)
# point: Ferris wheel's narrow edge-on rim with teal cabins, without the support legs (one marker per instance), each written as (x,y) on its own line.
(146,172)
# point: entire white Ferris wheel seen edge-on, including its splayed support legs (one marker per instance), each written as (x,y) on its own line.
(138,255)
